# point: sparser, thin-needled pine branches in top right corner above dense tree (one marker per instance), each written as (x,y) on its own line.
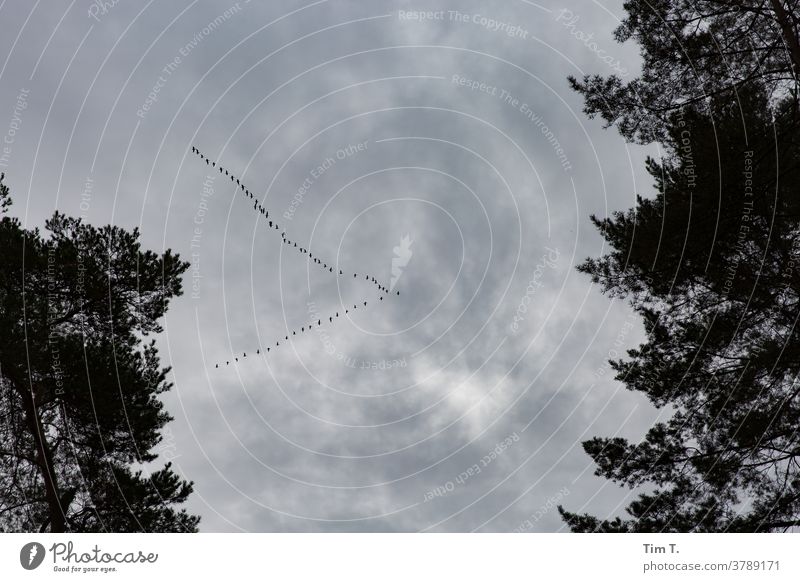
(692,50)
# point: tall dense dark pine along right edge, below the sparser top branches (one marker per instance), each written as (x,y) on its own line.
(712,265)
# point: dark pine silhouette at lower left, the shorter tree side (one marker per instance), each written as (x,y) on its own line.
(79,407)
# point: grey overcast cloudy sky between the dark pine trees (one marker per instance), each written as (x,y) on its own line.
(434,146)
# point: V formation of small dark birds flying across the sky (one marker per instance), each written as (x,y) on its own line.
(272,224)
